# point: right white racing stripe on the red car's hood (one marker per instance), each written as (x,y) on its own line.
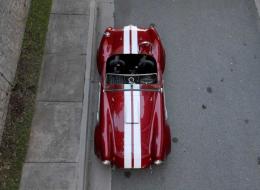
(137,128)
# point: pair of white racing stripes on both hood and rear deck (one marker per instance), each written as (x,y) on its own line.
(132,98)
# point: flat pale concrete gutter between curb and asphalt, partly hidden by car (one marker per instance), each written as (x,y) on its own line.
(96,170)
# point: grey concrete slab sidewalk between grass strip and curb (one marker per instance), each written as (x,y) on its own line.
(53,157)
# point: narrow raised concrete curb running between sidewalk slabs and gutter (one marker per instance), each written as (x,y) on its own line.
(85,130)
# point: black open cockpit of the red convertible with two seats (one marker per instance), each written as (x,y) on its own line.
(131,69)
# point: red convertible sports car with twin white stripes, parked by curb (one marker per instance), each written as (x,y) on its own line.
(132,129)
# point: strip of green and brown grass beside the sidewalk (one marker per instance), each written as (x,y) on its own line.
(22,100)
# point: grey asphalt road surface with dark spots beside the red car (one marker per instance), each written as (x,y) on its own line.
(212,83)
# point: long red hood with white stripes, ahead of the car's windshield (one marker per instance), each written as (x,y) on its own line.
(132,114)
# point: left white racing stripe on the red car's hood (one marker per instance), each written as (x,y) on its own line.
(127,128)
